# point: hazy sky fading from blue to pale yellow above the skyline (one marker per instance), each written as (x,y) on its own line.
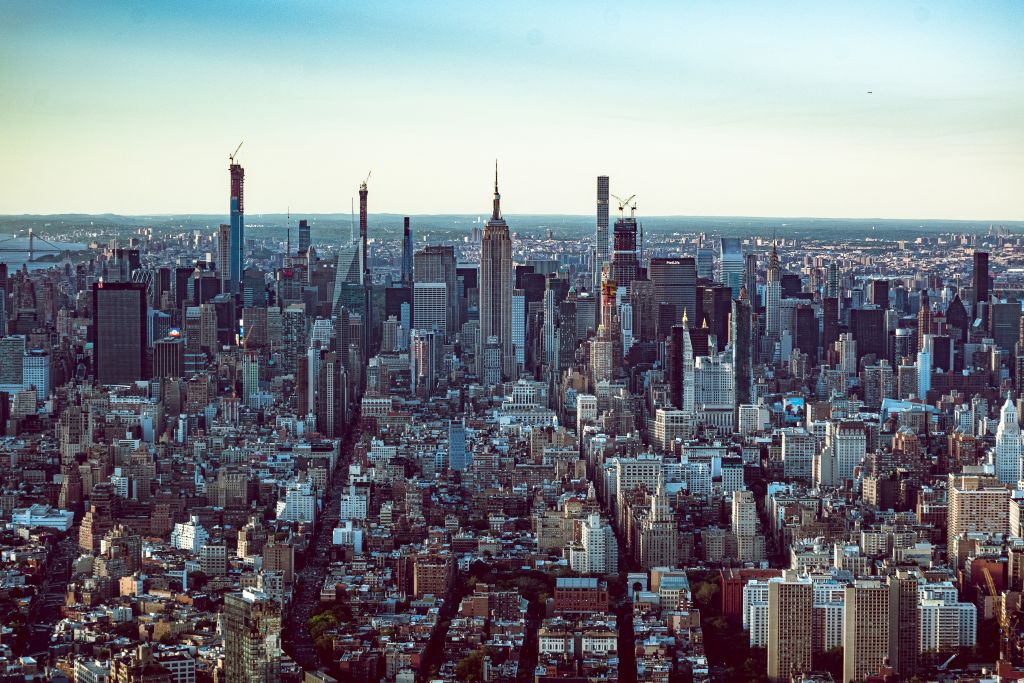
(866,109)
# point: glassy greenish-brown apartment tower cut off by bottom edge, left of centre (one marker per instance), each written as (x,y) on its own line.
(252,637)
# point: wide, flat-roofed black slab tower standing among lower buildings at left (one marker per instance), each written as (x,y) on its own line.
(119,332)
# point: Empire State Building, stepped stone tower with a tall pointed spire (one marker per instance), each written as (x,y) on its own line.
(496,285)
